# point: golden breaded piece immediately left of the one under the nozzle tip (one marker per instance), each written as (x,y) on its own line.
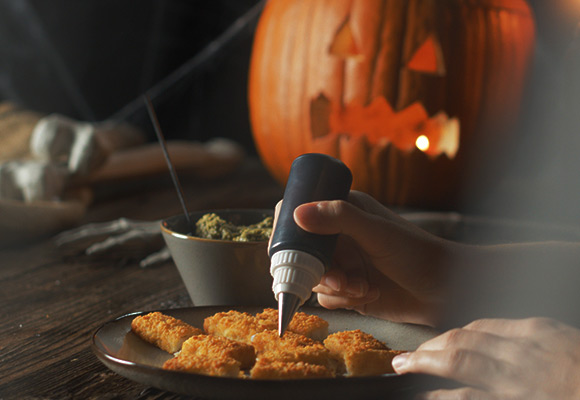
(215,347)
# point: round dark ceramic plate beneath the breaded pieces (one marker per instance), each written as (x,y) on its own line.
(126,354)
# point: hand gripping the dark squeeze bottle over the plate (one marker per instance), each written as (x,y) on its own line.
(384,265)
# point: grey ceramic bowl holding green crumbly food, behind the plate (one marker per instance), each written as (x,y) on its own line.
(221,272)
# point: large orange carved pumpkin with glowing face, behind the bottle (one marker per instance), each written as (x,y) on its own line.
(409,94)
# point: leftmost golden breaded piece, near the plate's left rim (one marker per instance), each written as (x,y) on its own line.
(163,331)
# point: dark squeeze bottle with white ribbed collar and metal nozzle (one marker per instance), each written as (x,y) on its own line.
(299,258)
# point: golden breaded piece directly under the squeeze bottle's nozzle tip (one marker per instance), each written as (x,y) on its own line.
(291,347)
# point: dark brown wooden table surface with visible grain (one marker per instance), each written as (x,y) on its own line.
(53,300)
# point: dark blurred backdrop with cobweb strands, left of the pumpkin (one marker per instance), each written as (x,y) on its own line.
(93,59)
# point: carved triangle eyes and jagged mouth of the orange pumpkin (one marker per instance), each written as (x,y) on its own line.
(408,128)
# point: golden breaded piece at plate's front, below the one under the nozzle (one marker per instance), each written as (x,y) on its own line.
(268,369)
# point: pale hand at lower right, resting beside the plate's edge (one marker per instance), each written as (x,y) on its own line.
(535,358)
